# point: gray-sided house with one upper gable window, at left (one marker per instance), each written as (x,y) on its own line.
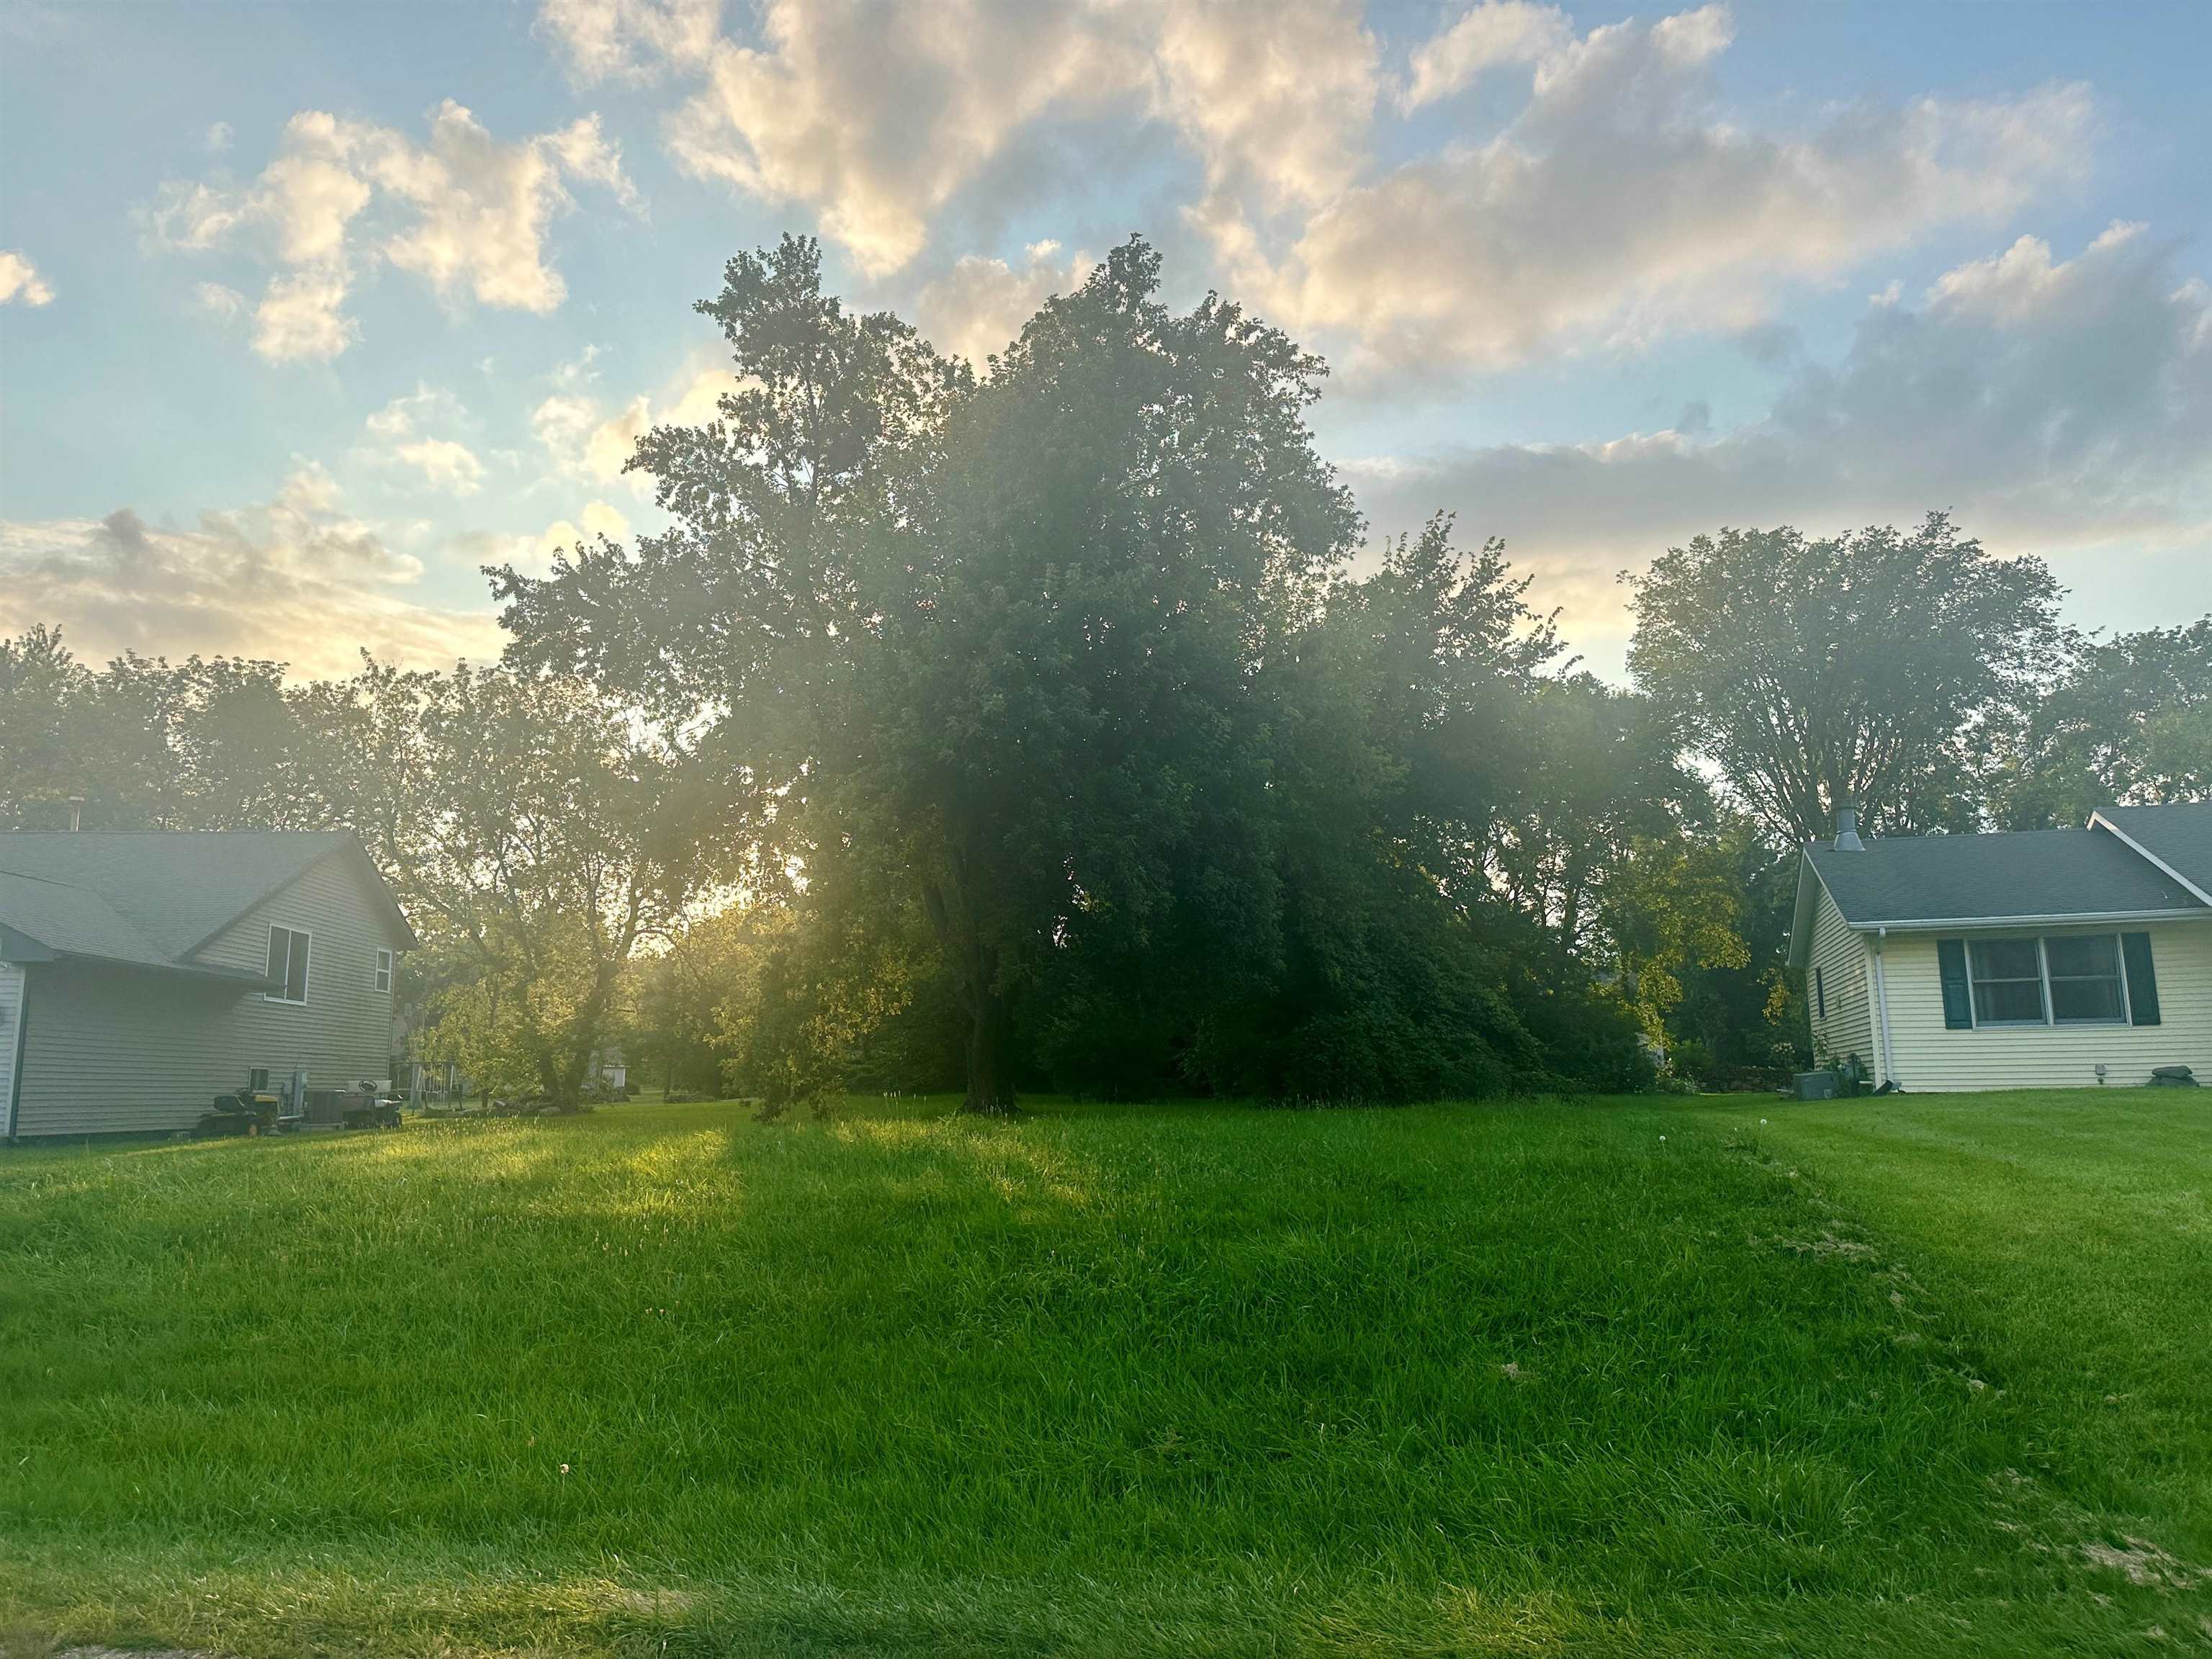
(145,974)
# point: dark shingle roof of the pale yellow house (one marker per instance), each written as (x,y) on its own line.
(2032,873)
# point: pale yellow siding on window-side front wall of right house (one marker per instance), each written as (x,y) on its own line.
(2049,1056)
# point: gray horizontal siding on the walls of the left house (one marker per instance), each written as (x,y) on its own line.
(134,1050)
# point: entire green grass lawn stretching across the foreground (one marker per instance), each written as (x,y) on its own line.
(1638,1377)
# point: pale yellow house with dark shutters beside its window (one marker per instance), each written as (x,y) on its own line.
(2052,959)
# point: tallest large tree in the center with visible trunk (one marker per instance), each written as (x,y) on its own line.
(983,654)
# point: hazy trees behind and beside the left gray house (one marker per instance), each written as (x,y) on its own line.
(536,835)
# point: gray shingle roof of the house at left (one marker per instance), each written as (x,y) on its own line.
(149,897)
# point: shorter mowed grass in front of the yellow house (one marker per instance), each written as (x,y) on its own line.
(2076,1231)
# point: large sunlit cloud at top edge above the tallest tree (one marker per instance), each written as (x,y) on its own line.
(879,114)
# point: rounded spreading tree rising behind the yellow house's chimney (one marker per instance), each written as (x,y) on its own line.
(1844,669)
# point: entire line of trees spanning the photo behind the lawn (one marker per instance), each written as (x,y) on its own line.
(1045,731)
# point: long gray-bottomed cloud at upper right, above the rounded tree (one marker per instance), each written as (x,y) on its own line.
(1623,202)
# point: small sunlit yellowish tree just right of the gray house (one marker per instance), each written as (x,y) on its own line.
(536,837)
